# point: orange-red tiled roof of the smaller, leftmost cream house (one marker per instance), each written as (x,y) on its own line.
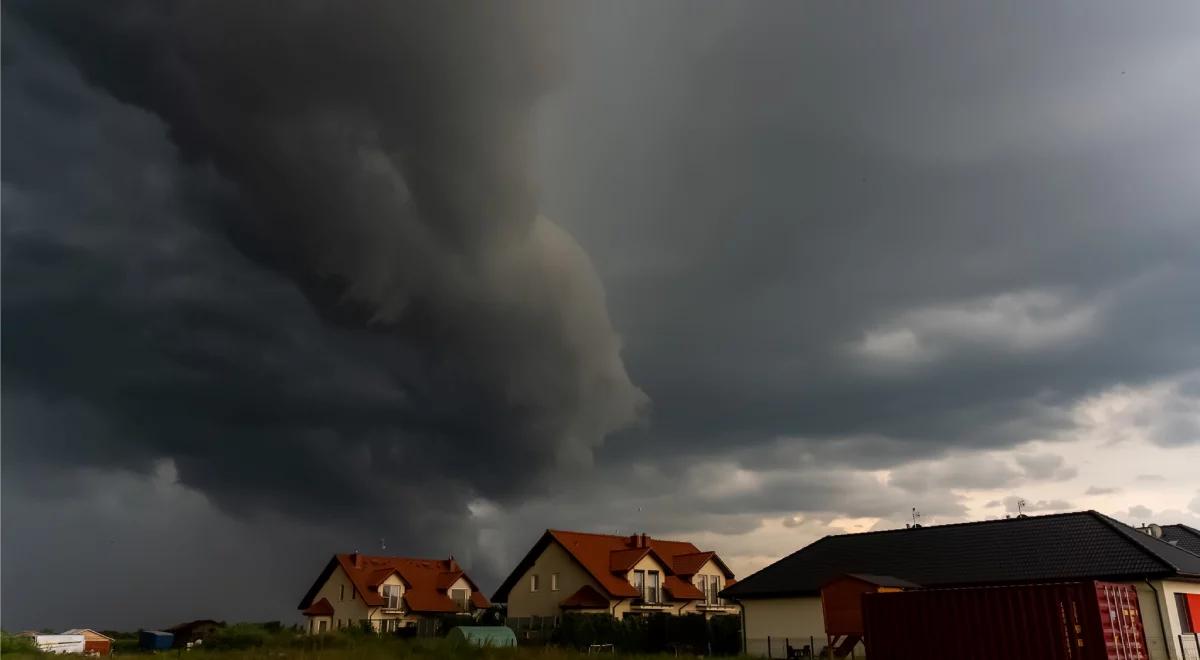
(425,581)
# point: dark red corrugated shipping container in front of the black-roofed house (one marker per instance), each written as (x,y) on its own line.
(1071,621)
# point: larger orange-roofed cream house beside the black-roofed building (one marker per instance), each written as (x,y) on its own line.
(573,572)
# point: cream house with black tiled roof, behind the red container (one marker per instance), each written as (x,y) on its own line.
(783,602)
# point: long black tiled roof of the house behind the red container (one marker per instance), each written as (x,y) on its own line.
(1083,545)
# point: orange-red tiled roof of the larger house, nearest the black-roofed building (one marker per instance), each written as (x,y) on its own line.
(608,559)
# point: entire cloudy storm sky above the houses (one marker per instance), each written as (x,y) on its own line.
(419,280)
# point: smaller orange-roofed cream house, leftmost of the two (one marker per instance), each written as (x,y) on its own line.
(388,593)
